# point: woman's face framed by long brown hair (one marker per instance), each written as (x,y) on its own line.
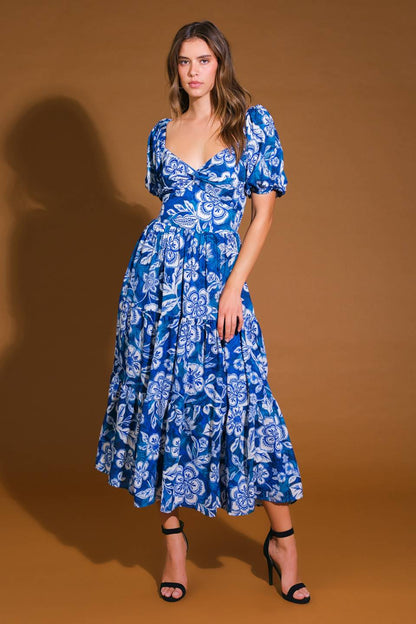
(197,67)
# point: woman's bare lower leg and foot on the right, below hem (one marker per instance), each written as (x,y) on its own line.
(283,549)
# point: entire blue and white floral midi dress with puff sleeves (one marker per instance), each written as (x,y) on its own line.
(191,419)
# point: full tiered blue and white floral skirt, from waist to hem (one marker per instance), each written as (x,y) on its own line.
(191,420)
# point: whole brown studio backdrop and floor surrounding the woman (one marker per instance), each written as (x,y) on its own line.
(82,84)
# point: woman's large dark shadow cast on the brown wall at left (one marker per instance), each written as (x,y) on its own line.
(71,241)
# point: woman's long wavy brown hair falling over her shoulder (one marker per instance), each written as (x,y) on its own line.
(229,100)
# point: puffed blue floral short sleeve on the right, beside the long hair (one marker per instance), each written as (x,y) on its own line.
(264,166)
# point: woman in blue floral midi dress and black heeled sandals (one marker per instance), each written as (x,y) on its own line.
(191,420)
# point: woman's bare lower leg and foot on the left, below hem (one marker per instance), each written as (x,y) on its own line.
(175,568)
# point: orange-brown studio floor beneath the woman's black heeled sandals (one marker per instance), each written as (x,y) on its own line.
(87,559)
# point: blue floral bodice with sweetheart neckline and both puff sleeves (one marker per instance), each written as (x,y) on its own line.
(212,198)
